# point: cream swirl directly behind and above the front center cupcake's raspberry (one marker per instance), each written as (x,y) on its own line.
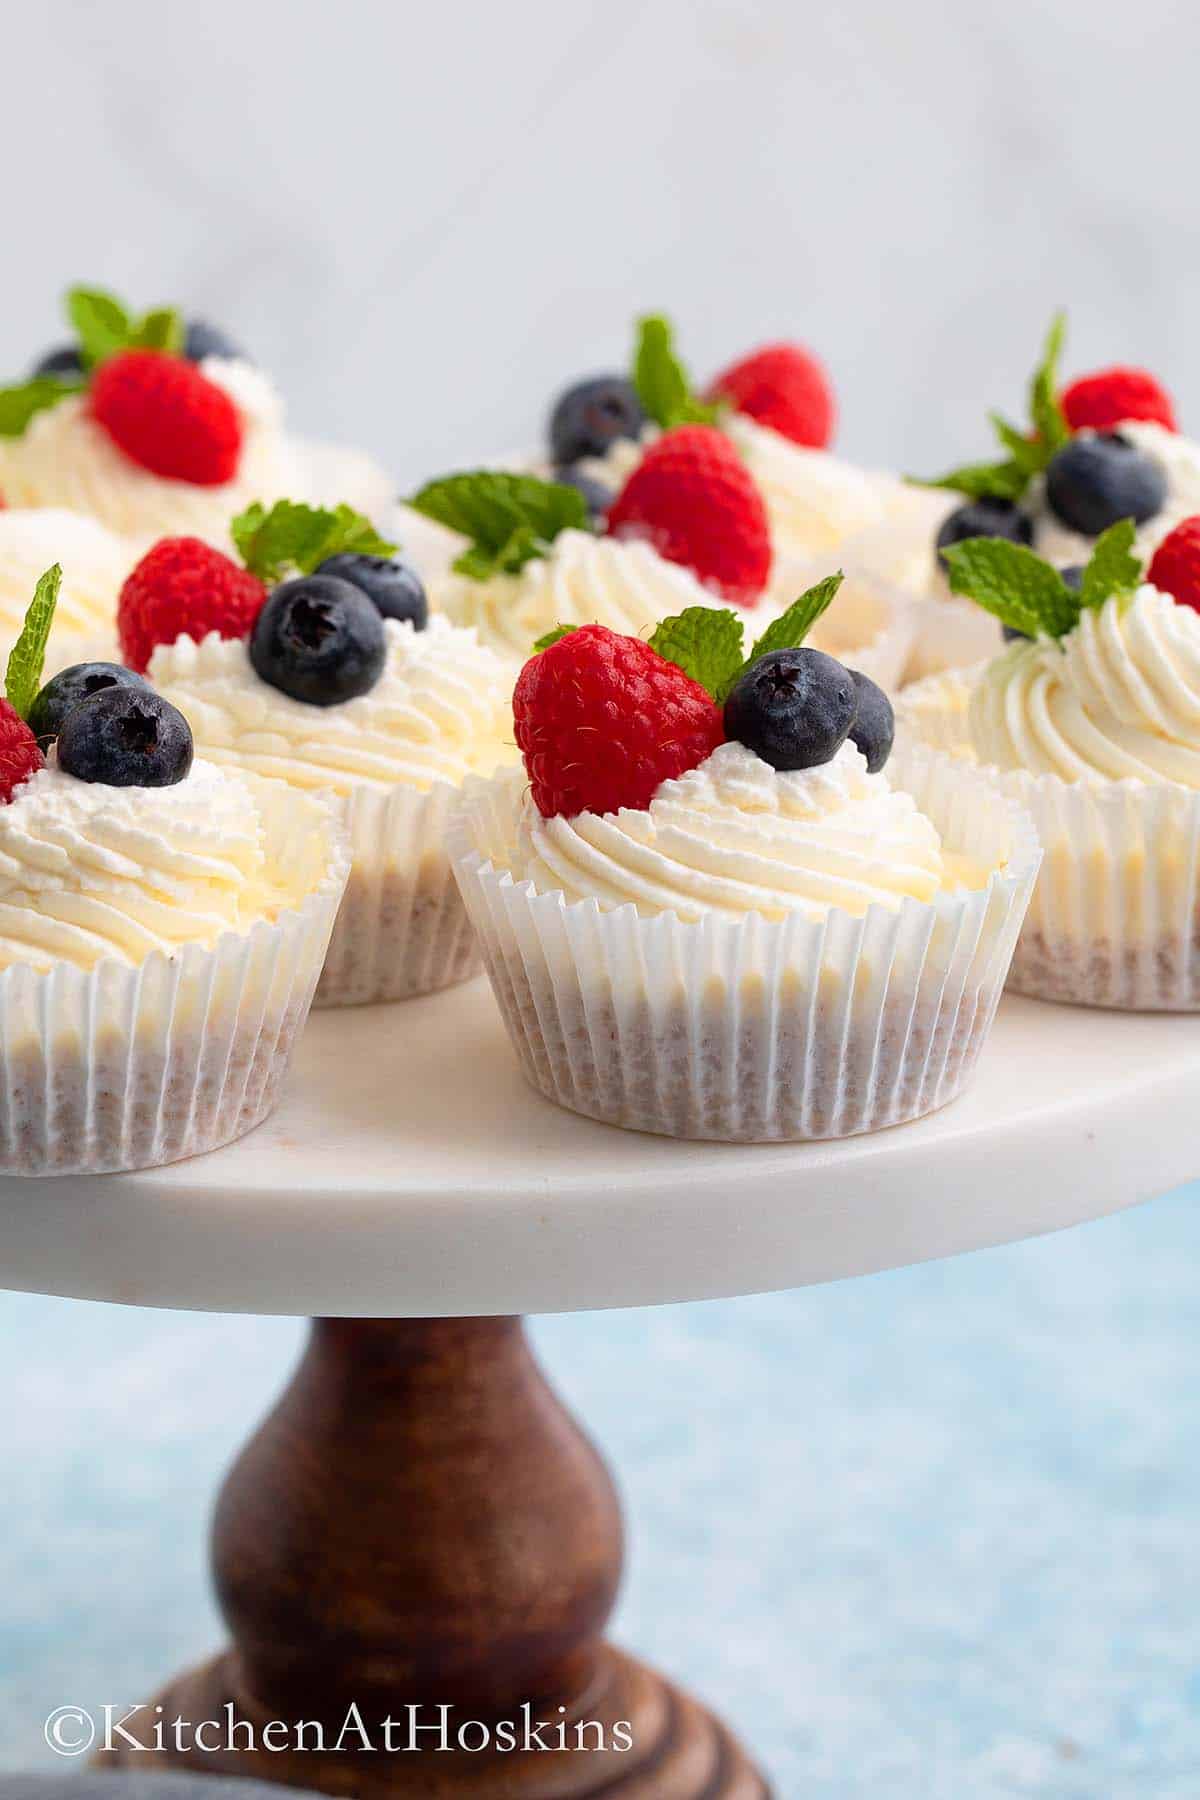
(584,580)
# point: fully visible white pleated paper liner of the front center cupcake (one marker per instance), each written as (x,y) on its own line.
(751,1030)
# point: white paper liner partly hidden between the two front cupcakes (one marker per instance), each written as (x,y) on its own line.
(402,928)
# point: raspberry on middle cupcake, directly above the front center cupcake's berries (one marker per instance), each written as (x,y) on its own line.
(694,499)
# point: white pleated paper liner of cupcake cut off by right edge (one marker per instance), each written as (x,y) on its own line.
(1115,917)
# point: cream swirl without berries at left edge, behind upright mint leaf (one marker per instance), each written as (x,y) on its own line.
(94,566)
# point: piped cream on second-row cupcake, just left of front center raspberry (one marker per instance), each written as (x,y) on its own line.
(438,712)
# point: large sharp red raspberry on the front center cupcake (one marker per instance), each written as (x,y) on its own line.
(604,719)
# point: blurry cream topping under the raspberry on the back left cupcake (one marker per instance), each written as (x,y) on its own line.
(67,460)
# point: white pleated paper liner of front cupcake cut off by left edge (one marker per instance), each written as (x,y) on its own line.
(123,1068)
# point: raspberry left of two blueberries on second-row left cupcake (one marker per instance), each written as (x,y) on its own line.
(184,588)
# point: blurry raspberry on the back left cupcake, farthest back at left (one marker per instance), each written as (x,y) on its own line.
(168,417)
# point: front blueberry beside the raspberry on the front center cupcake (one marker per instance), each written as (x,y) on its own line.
(794,708)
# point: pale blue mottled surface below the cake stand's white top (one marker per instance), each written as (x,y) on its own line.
(926,1536)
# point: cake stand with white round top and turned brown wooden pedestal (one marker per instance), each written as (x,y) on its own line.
(418,1522)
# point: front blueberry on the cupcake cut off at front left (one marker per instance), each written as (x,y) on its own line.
(127,737)
